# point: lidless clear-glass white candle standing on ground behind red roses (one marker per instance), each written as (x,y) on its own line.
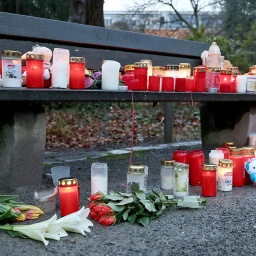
(99,178)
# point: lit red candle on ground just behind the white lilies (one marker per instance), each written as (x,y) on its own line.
(69,195)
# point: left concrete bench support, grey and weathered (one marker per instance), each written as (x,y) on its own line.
(21,159)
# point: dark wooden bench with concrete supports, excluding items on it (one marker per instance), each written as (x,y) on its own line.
(22,123)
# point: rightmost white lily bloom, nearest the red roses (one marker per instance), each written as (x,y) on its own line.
(76,222)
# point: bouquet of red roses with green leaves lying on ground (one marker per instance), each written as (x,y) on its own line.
(137,207)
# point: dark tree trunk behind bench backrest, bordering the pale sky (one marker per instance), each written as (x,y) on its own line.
(89,12)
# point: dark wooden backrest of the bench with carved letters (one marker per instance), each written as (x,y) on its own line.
(19,32)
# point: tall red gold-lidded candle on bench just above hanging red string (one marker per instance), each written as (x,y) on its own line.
(141,73)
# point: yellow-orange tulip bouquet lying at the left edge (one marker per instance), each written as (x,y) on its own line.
(11,210)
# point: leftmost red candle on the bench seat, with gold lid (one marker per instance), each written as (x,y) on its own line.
(34,70)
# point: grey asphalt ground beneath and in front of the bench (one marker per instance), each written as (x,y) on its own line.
(226,226)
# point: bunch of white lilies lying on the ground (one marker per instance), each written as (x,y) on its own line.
(52,228)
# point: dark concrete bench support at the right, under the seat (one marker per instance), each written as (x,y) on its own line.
(227,121)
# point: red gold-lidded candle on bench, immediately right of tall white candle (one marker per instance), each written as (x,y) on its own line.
(77,73)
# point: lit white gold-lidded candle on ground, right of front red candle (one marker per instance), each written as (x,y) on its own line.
(225,172)
